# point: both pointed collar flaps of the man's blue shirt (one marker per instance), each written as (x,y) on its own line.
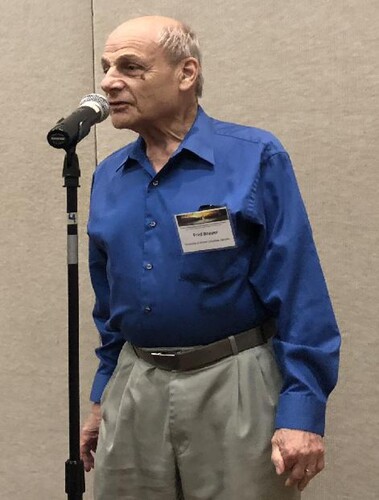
(198,140)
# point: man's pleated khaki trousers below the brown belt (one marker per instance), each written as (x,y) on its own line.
(198,435)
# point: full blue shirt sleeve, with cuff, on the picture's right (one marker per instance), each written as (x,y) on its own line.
(289,281)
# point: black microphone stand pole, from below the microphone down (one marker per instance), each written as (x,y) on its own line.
(74,467)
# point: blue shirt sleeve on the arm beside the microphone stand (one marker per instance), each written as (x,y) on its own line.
(111,340)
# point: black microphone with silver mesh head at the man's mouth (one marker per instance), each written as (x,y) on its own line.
(93,108)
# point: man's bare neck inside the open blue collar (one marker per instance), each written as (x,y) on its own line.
(161,142)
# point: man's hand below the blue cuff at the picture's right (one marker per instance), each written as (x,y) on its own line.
(299,452)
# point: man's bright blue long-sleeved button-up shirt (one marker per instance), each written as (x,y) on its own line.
(150,293)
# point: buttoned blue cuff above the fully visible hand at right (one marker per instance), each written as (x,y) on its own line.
(301,412)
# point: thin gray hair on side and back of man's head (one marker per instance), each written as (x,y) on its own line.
(180,42)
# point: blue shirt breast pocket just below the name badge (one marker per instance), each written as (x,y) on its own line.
(212,266)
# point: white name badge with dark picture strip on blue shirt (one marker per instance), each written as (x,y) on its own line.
(208,229)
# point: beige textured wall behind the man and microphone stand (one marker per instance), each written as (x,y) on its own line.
(305,69)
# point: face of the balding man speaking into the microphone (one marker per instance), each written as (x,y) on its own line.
(141,86)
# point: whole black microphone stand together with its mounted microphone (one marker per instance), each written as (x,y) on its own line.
(65,135)
